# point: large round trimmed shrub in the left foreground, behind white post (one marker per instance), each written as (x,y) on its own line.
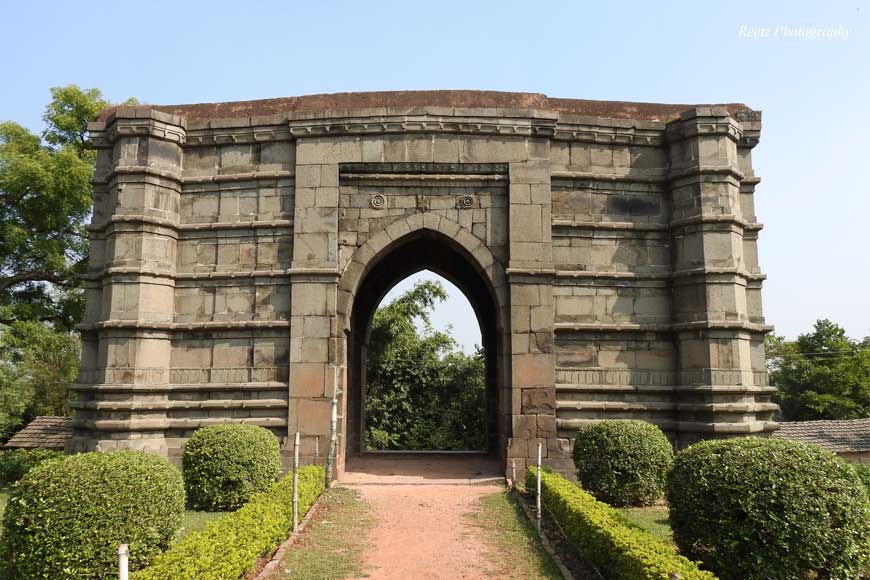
(67,517)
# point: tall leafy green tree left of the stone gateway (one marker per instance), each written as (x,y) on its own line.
(45,202)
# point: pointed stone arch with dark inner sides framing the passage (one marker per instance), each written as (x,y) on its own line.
(406,246)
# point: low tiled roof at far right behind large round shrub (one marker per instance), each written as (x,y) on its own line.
(849,439)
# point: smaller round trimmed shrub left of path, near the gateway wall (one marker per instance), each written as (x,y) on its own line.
(224,465)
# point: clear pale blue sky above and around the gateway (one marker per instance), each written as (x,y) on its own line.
(814,157)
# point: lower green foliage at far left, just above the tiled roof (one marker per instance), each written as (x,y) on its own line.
(37,367)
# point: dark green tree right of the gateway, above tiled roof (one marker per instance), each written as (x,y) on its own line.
(822,375)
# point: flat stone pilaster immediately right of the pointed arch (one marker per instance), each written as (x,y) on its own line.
(530,274)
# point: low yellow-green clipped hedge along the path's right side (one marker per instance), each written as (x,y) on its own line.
(598,531)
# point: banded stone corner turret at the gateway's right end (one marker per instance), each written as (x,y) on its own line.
(722,387)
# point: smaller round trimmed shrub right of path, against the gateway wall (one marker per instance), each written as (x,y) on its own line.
(623,462)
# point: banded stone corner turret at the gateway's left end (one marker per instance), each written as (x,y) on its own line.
(123,395)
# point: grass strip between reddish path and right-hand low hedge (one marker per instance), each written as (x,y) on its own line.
(511,540)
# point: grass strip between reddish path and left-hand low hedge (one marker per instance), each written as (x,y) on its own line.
(332,546)
